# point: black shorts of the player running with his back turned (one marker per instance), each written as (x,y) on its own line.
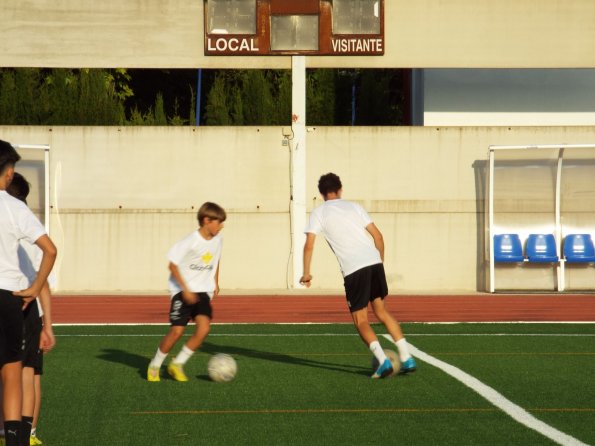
(365,285)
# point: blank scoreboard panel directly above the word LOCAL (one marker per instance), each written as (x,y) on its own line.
(231,16)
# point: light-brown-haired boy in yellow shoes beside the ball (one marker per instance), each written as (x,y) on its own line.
(194,281)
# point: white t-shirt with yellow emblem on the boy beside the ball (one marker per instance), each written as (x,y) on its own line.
(197,260)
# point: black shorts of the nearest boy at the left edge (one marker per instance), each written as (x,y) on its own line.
(11,328)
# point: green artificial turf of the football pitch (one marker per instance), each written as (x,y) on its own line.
(309,384)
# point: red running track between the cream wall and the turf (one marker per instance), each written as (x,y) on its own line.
(329,309)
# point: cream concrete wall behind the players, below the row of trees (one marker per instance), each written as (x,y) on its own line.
(121,196)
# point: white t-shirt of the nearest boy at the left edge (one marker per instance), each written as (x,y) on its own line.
(17,222)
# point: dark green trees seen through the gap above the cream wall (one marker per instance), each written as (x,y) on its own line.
(32,96)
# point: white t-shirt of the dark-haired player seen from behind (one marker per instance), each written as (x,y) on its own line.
(343,224)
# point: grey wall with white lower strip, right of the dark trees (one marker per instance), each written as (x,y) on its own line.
(507,97)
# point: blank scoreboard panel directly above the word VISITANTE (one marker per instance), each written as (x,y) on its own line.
(356,17)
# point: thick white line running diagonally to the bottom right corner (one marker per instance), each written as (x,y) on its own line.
(514,411)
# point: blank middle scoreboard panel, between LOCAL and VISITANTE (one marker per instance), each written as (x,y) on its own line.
(294,33)
